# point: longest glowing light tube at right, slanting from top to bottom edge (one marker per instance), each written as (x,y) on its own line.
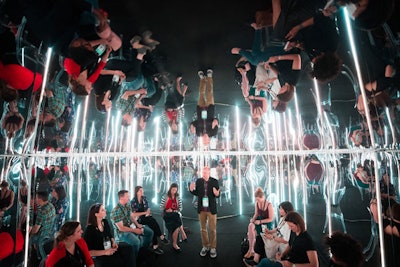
(372,137)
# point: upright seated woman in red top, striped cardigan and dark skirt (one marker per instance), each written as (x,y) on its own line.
(171,206)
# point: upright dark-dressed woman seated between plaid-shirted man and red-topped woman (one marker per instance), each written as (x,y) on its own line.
(141,208)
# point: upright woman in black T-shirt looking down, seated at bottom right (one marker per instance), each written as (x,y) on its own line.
(301,249)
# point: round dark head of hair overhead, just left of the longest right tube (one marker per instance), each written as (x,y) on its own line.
(327,67)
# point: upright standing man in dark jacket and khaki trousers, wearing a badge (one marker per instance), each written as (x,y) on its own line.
(207,190)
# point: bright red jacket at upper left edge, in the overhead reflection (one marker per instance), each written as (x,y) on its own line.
(19,77)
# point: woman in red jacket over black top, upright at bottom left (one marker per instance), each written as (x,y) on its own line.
(70,248)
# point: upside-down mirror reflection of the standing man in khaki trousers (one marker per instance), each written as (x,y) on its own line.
(206,124)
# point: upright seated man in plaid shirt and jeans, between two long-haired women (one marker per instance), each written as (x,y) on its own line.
(127,228)
